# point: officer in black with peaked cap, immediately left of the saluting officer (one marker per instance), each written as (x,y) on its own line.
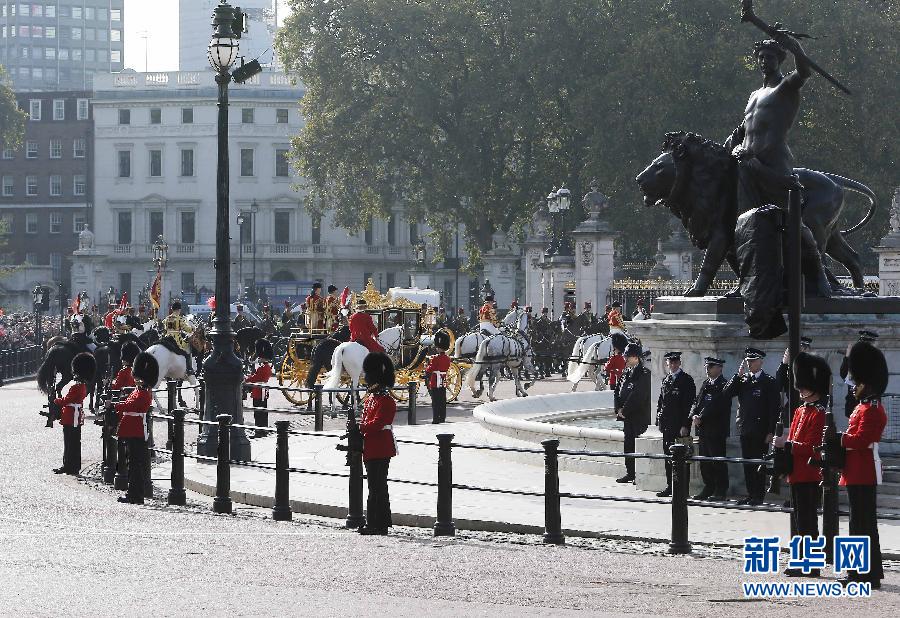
(711,416)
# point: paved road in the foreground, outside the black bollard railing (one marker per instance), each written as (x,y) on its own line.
(68,548)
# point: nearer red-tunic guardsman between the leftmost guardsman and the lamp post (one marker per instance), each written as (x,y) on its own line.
(133,430)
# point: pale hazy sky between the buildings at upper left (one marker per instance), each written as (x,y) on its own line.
(157,20)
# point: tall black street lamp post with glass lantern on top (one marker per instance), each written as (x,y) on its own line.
(222,369)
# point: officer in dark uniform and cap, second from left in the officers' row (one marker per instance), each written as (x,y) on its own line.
(673,409)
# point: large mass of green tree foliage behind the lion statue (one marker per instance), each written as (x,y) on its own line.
(472,110)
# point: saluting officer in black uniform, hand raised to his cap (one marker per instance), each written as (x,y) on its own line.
(759,402)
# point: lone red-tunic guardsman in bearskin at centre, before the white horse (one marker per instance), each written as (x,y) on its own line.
(376,426)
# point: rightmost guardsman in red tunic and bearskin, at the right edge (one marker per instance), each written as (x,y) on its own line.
(861,472)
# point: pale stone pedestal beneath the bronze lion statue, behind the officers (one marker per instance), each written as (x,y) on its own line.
(714,326)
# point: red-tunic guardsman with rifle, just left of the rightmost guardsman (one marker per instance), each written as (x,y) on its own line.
(812,377)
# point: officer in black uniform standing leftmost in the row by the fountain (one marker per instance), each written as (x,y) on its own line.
(633,396)
